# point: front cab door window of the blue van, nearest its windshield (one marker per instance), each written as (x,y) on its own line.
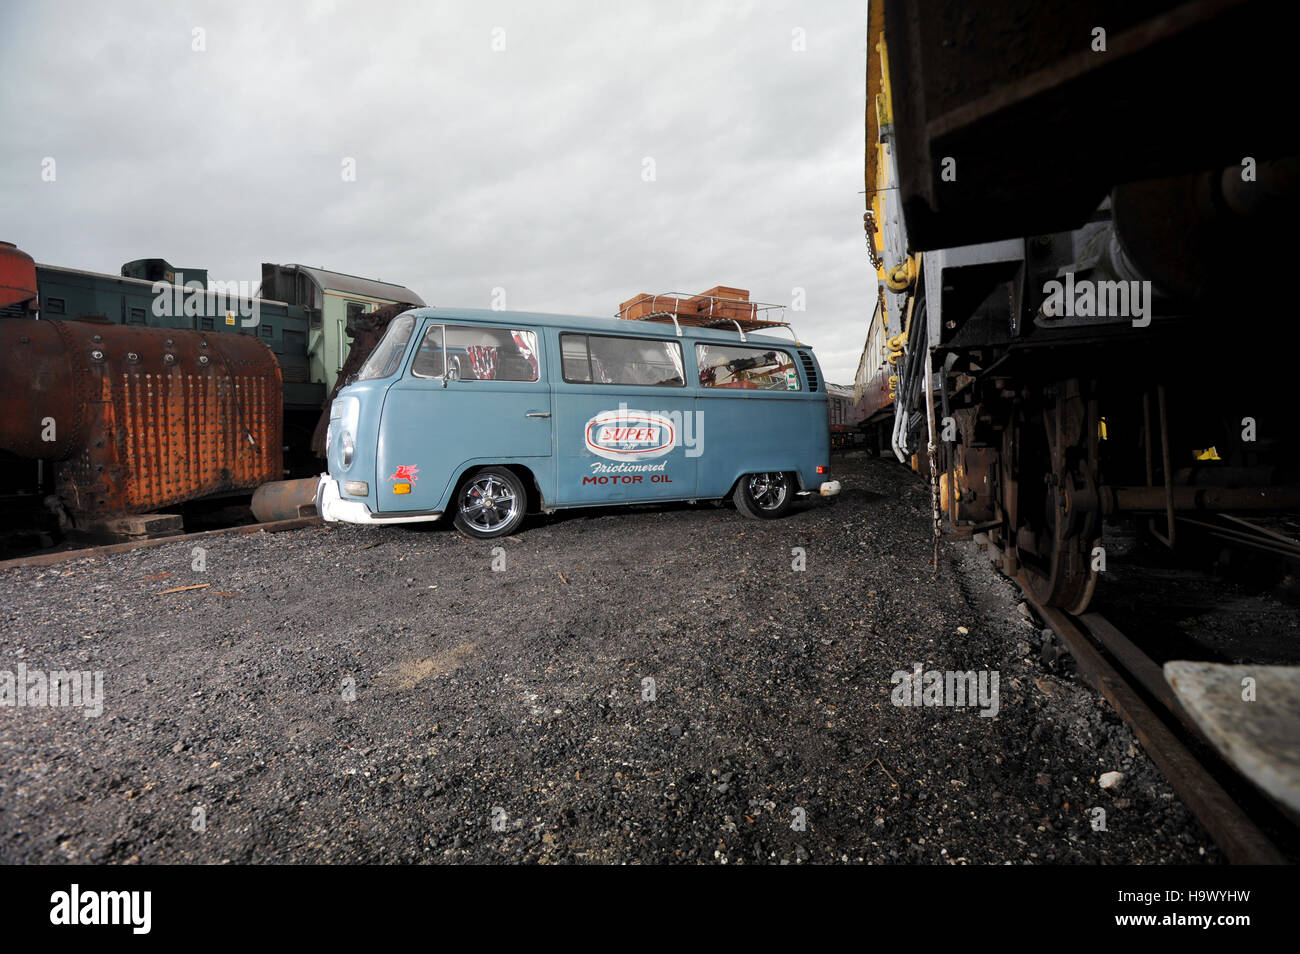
(475,353)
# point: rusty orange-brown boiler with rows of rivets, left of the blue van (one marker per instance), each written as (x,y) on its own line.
(137,419)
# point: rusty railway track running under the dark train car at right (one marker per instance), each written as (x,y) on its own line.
(1134,684)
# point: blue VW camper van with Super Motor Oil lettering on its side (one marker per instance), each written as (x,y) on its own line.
(488,417)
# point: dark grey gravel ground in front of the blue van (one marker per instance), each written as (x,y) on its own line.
(502,717)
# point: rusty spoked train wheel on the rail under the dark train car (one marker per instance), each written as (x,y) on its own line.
(1058,523)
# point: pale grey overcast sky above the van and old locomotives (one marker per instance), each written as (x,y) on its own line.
(476,167)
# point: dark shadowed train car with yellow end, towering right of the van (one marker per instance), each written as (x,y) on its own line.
(1084,220)
